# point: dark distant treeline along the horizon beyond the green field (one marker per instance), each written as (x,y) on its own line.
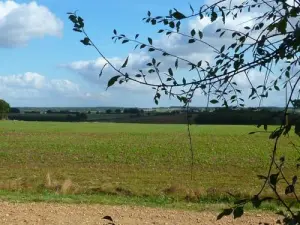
(218,116)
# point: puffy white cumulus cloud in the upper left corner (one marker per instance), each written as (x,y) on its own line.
(19,23)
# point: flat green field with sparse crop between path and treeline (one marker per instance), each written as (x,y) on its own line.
(134,160)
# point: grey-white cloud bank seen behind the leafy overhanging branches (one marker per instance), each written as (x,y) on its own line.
(178,45)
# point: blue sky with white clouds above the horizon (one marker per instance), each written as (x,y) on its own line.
(45,65)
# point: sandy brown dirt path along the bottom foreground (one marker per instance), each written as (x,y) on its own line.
(46,213)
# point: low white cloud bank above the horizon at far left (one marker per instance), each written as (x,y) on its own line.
(37,89)
